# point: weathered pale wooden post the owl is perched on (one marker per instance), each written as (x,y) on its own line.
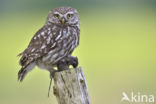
(70,87)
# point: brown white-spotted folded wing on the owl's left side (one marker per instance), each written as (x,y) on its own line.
(38,47)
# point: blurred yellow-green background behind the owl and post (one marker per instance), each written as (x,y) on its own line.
(117,48)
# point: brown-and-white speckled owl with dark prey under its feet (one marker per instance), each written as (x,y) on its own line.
(53,44)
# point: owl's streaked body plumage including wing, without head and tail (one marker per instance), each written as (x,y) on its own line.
(50,44)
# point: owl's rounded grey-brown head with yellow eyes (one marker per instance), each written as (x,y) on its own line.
(63,16)
